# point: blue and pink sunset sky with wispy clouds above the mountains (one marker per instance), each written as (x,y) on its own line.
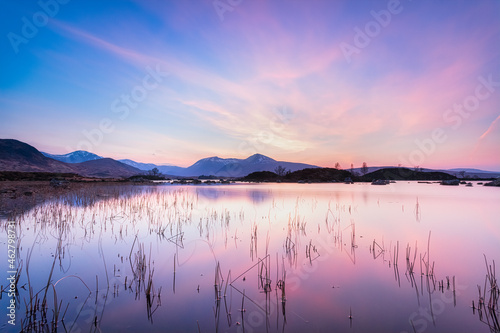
(415,83)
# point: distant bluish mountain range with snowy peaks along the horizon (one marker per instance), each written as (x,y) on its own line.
(18,156)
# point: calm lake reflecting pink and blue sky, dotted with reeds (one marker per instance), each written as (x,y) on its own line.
(404,257)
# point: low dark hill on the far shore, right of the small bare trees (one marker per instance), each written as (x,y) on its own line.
(405,174)
